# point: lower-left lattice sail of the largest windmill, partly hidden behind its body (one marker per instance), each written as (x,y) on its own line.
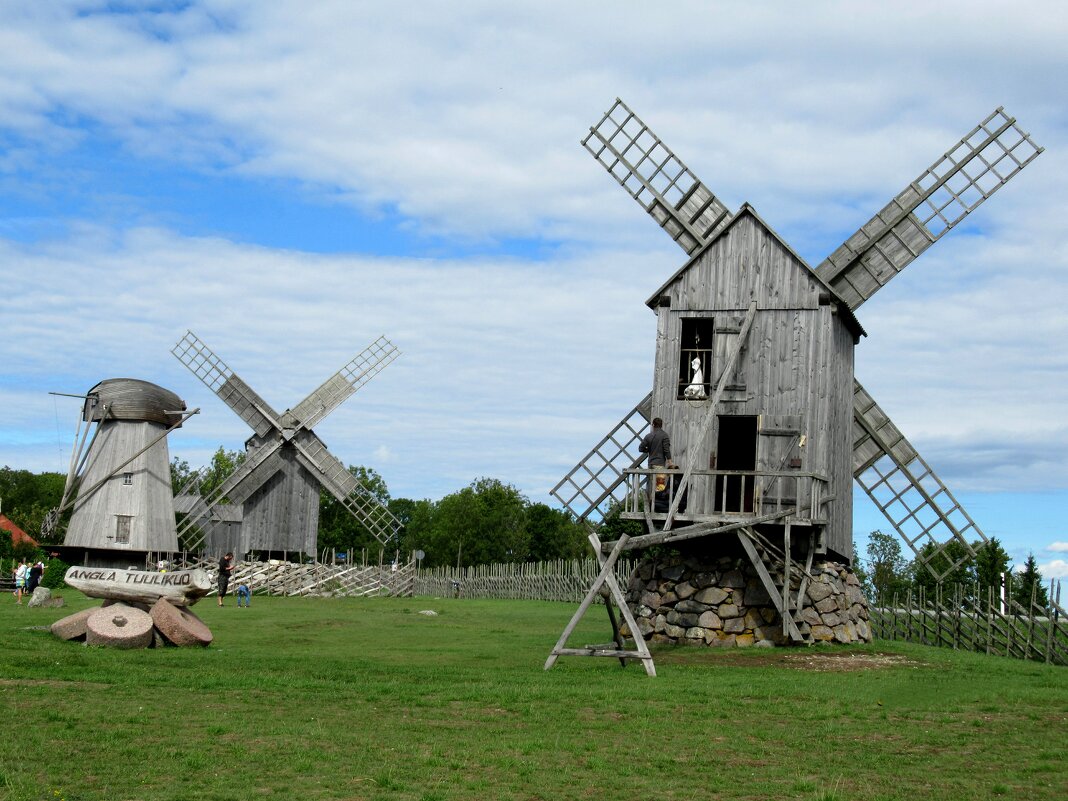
(598,482)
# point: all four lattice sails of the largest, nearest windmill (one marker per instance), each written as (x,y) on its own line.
(902,484)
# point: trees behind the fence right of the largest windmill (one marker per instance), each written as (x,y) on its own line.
(886,573)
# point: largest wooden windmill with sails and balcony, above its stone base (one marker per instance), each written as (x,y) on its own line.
(755,367)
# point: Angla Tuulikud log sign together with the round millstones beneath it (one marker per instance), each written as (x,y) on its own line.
(135,614)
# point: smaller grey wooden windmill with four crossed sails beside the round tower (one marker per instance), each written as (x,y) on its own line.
(278,484)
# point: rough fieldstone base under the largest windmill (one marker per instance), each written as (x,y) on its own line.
(694,601)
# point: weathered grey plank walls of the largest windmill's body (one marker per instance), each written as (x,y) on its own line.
(795,376)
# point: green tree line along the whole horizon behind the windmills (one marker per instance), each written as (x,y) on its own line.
(491,521)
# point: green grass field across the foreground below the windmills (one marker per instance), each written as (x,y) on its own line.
(351,699)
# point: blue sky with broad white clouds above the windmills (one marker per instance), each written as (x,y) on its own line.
(292,180)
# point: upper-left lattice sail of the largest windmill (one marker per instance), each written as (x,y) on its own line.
(656,178)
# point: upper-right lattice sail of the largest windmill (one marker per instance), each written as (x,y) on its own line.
(941,197)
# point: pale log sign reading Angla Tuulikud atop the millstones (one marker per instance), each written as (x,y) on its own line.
(181,588)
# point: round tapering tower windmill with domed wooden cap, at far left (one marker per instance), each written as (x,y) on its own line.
(119,486)
